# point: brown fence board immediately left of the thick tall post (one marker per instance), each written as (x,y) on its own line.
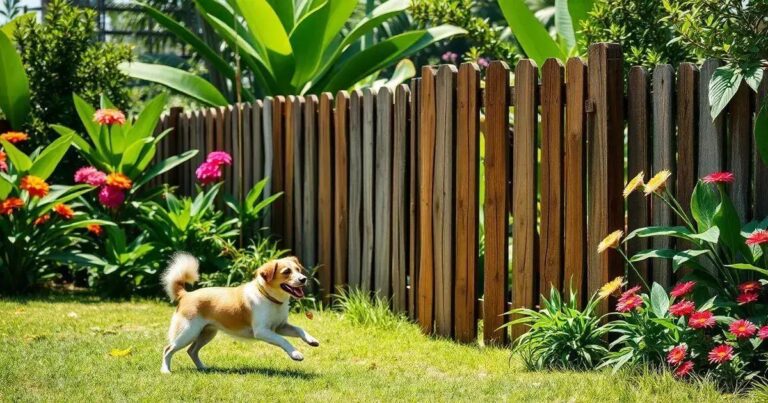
(575,176)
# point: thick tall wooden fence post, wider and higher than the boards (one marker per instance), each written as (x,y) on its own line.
(605,204)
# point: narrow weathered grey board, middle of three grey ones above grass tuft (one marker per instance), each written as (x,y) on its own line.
(369,132)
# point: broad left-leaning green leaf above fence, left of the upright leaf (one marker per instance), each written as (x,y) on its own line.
(529,33)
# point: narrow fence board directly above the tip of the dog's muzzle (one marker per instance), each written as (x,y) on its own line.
(309,216)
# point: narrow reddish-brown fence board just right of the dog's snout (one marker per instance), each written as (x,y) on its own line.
(325,195)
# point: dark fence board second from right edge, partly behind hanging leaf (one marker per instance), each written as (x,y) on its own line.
(740,128)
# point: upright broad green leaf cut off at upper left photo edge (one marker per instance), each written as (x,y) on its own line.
(14,85)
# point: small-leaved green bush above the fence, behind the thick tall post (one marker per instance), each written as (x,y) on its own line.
(641,29)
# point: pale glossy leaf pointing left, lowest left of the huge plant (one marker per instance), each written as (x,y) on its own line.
(177,80)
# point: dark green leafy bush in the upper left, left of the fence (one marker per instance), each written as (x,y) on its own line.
(62,56)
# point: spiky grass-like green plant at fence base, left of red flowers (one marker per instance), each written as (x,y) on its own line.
(561,336)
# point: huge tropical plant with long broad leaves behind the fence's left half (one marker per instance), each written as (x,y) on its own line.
(288,47)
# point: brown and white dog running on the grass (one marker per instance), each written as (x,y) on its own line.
(256,310)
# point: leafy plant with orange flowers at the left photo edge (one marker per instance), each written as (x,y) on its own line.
(38,230)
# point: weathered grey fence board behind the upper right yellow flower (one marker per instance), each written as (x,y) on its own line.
(663,158)
